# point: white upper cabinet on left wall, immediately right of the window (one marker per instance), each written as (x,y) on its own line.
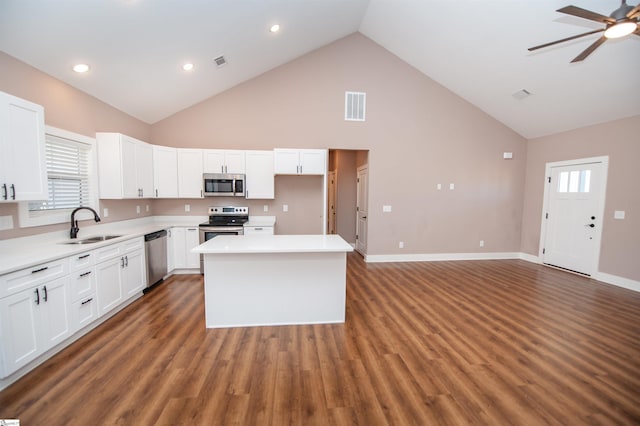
(125,167)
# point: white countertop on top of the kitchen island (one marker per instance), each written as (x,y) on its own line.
(273,244)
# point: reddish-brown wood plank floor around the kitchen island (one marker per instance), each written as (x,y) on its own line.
(469,342)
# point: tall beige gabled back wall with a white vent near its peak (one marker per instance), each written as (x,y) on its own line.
(418,133)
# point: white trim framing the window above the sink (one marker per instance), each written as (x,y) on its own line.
(25,219)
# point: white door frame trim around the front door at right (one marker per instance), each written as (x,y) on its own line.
(604,160)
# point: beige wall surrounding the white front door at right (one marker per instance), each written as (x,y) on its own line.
(620,250)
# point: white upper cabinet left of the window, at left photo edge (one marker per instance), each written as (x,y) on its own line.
(23,171)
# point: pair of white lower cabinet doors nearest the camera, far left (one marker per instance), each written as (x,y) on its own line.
(33,321)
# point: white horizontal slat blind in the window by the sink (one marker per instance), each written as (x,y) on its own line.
(68,175)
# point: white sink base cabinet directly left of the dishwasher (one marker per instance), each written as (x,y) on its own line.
(120,273)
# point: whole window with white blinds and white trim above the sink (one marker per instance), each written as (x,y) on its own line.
(71,179)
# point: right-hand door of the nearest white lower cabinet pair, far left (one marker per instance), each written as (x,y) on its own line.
(55,312)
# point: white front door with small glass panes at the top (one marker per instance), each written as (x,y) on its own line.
(573,217)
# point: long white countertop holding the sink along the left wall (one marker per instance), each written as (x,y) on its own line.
(25,252)
